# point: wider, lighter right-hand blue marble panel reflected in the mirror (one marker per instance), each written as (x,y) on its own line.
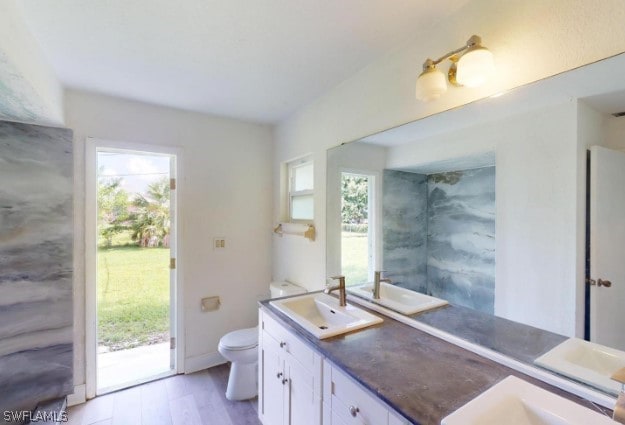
(461,237)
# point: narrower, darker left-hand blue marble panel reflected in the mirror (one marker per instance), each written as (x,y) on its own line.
(404,227)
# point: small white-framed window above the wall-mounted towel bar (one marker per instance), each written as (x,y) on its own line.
(301,202)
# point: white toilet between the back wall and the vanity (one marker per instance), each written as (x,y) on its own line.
(240,347)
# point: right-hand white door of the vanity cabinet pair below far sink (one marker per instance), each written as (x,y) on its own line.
(304,408)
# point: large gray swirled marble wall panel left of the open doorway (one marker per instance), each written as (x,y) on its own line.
(36,235)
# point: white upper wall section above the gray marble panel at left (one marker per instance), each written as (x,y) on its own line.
(30,91)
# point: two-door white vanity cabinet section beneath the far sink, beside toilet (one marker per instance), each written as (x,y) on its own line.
(289,377)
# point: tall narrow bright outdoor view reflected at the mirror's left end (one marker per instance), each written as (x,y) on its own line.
(357,253)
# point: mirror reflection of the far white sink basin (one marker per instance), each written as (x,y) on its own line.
(399,299)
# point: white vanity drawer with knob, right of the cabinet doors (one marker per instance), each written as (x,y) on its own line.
(351,404)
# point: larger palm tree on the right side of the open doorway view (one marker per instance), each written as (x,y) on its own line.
(150,215)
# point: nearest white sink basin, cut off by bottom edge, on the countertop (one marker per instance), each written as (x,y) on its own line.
(514,401)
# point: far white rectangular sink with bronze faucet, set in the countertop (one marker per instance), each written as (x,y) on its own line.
(321,315)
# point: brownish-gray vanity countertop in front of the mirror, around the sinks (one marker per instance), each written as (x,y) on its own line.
(420,376)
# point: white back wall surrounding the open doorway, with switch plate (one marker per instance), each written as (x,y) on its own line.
(226,190)
